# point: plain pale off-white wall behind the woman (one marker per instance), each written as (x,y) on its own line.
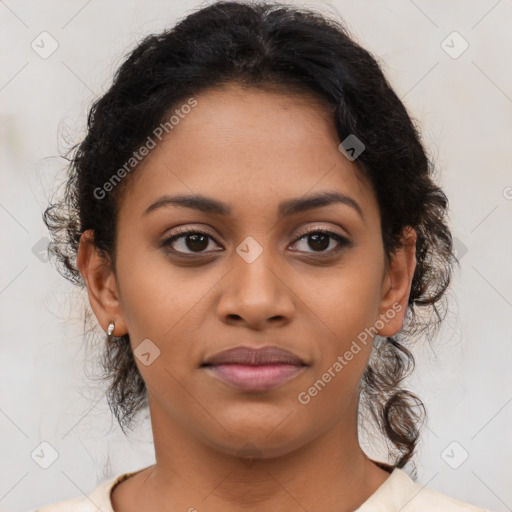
(464,106)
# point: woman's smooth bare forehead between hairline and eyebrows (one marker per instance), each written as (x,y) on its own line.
(251,147)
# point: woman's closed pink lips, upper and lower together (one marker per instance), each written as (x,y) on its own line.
(255,370)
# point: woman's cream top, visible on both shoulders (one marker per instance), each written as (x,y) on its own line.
(398,493)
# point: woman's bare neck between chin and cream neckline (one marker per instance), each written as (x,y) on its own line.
(330,472)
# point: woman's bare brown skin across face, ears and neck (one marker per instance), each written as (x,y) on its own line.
(250,149)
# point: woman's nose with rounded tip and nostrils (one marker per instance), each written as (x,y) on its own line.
(256,295)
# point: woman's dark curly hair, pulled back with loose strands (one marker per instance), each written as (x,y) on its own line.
(271,46)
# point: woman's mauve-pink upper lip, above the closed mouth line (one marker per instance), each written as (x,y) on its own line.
(254,356)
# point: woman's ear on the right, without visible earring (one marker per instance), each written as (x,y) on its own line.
(396,285)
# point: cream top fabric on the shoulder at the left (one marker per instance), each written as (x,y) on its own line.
(98,499)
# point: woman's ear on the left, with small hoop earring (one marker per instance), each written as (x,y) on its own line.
(101,284)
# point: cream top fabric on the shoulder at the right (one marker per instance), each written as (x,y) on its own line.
(401,493)
